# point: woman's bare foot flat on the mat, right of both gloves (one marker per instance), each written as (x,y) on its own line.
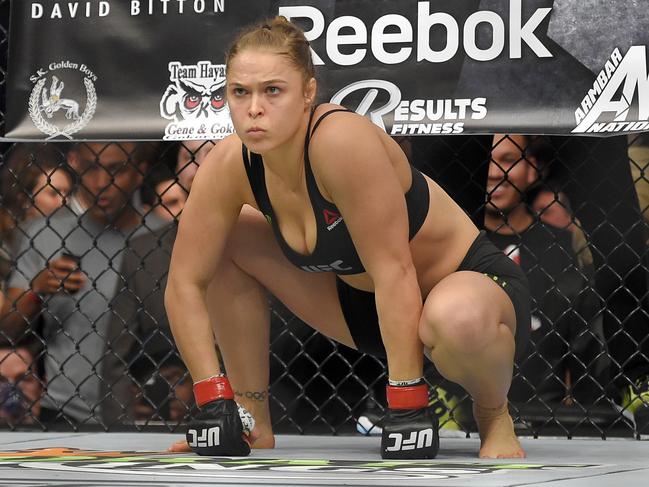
(497,437)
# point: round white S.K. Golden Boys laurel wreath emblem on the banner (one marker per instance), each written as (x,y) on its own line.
(64,99)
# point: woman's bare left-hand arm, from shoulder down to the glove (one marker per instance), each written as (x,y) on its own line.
(211,211)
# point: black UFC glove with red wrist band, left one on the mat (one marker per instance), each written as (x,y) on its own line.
(217,430)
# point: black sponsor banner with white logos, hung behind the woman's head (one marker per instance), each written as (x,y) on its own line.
(154,69)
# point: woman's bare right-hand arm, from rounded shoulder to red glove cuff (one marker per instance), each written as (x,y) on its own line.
(353,165)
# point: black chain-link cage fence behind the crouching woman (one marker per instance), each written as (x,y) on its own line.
(87,231)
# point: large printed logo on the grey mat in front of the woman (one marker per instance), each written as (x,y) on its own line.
(171,464)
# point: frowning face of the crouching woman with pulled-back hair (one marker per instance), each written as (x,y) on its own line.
(267,97)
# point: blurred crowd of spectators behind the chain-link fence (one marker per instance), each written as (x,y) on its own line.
(87,231)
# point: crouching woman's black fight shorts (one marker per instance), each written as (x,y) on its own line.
(359,307)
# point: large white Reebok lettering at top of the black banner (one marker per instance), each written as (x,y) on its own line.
(413,37)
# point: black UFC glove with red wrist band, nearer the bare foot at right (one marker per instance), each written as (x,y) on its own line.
(410,431)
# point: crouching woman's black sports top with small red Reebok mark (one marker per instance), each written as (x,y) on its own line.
(334,250)
